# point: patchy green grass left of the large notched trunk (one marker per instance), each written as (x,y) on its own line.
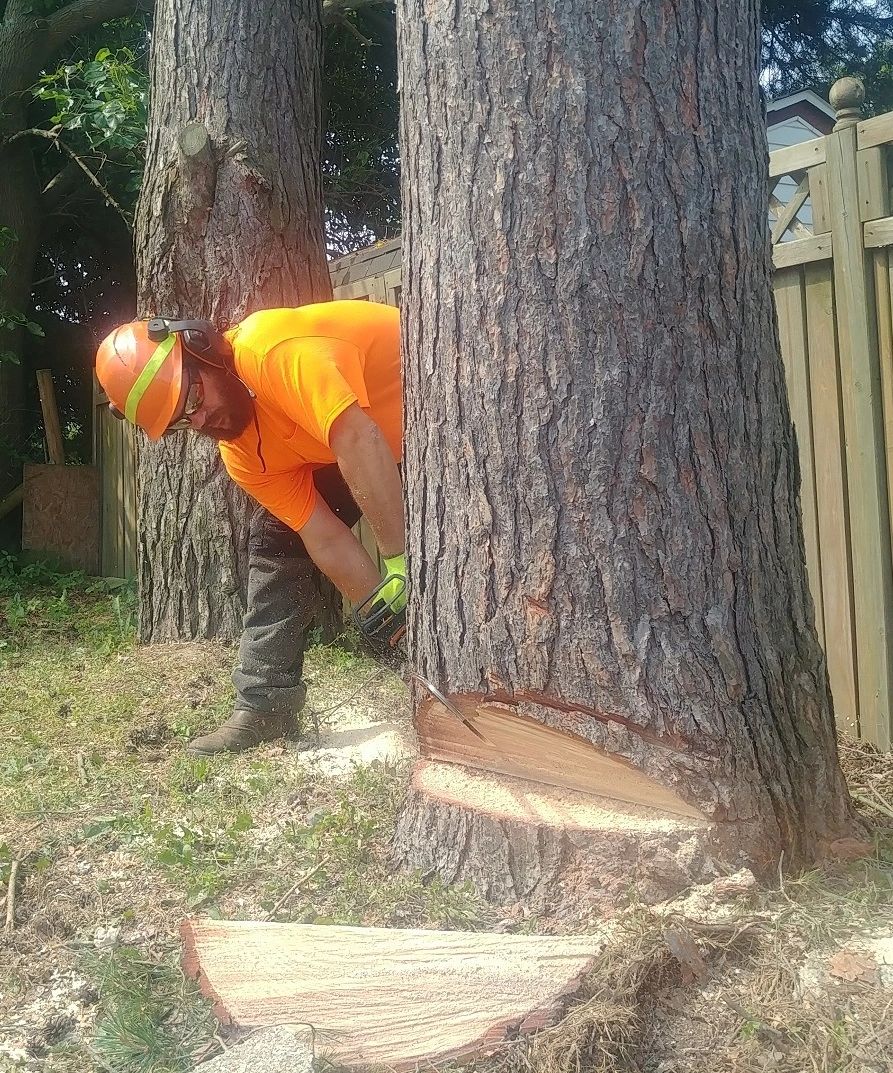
(114,826)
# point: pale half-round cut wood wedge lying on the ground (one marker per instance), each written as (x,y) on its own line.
(382,997)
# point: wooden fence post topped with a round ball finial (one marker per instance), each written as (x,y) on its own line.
(863,421)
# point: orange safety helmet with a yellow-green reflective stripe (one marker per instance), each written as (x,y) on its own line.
(142,378)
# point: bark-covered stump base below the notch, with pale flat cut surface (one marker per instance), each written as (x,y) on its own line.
(518,841)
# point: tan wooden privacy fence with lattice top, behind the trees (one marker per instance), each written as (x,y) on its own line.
(832,234)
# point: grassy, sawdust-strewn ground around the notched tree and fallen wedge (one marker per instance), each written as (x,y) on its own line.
(115,835)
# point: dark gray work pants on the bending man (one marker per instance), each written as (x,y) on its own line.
(283,596)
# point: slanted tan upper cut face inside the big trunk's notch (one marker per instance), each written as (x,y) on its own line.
(522,747)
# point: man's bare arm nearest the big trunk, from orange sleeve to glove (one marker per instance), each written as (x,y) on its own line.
(369,467)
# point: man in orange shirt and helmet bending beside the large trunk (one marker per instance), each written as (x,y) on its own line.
(306,406)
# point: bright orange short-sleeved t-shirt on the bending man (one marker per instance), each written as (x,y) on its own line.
(306,366)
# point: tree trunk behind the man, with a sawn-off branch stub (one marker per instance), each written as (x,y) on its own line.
(225,228)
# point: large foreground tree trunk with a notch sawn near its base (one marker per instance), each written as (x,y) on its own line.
(604,520)
